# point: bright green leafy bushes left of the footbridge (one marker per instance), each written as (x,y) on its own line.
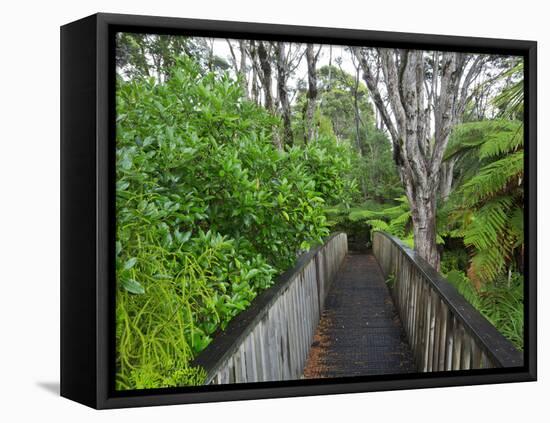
(208,212)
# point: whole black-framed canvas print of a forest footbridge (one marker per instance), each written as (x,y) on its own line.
(254,211)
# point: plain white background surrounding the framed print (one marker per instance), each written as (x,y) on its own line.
(29,209)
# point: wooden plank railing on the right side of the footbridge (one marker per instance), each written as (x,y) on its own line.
(444,331)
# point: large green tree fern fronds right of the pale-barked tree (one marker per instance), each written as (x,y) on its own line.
(486,209)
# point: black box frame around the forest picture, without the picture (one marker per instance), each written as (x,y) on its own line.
(87,209)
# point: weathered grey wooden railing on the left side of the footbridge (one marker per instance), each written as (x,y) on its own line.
(270,340)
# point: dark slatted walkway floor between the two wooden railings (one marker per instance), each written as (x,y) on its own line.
(360,332)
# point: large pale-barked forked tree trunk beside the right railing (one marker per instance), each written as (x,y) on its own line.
(407,119)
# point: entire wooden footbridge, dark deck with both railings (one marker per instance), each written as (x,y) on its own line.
(332,316)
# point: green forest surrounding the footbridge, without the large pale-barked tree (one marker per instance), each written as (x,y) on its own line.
(225,175)
